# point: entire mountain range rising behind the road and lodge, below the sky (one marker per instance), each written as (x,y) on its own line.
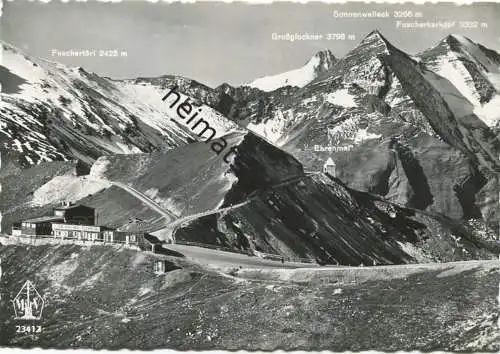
(418,181)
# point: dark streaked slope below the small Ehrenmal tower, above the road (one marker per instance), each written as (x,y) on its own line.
(320,219)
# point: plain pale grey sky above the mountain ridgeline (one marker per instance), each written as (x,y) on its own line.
(216,42)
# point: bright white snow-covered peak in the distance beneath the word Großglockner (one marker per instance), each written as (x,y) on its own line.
(318,64)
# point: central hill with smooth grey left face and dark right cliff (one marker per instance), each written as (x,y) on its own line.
(193,178)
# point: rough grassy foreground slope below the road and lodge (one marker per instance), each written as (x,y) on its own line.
(107,298)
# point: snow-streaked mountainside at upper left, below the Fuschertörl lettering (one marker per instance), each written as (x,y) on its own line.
(97,112)
